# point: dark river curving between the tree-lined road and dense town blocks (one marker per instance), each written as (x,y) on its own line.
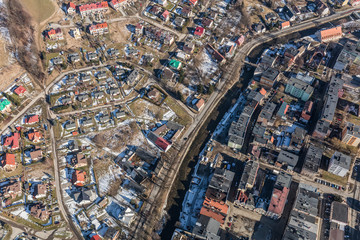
(183,179)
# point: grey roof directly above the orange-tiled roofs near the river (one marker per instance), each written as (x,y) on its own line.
(221,180)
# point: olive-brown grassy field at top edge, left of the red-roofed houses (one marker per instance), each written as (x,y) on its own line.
(40,10)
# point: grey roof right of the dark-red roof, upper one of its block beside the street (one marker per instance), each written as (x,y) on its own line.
(307,202)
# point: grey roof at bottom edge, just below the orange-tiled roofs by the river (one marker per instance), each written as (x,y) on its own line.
(207,227)
